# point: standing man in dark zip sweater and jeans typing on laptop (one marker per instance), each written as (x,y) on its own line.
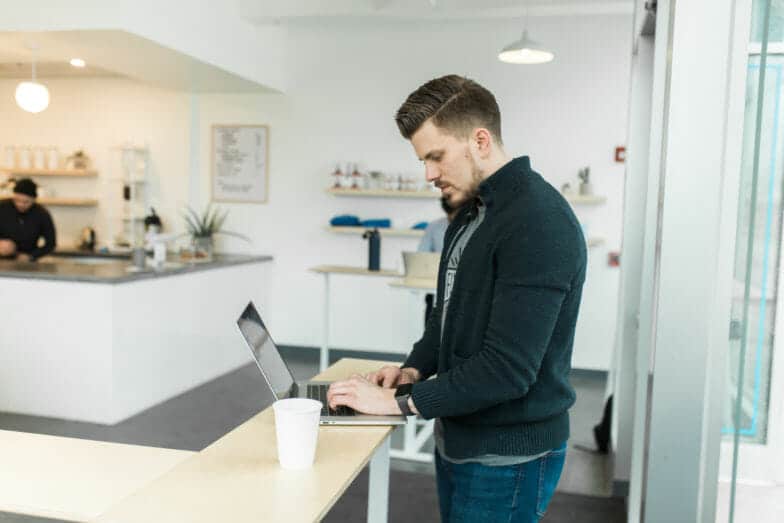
(498,345)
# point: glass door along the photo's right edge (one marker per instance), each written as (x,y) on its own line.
(751,482)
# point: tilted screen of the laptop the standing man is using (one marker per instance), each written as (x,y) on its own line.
(265,352)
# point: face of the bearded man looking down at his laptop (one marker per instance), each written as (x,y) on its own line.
(448,163)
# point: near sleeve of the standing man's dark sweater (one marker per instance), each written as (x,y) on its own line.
(531,284)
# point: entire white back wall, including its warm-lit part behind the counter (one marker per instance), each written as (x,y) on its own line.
(346,82)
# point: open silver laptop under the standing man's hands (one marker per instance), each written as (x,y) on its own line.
(281,382)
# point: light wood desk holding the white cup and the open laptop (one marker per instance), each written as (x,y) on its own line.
(238,478)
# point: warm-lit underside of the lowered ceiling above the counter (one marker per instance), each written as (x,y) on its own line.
(113,53)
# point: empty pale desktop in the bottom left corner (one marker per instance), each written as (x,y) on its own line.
(74,479)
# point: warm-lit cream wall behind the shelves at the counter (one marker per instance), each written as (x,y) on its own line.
(98,115)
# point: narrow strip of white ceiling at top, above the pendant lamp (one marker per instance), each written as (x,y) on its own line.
(293,11)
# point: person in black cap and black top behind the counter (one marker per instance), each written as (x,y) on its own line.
(23,222)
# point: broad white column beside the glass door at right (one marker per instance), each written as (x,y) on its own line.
(695,244)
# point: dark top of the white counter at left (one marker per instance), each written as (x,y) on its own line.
(101,269)
